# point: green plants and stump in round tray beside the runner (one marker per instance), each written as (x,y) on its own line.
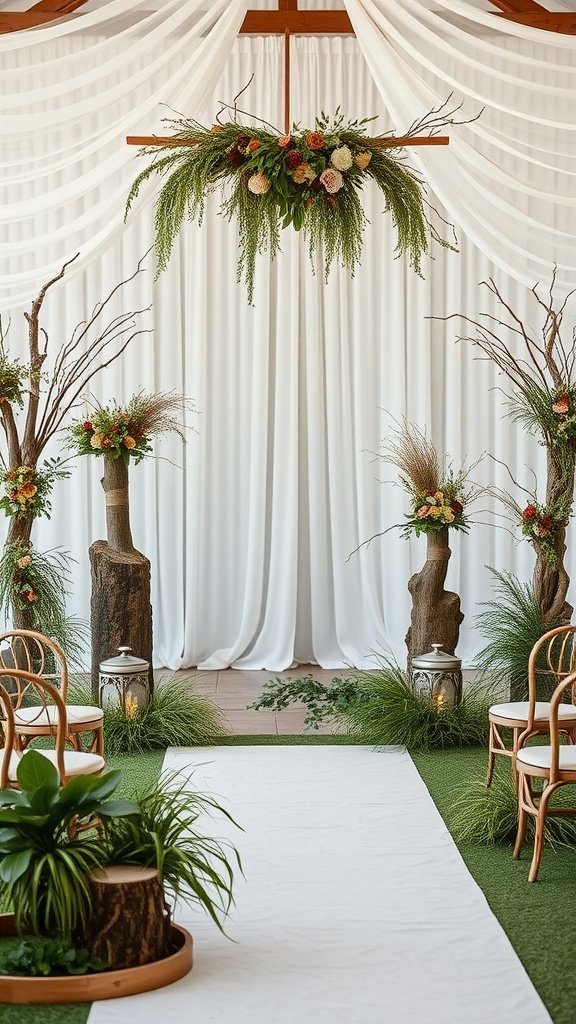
(103,892)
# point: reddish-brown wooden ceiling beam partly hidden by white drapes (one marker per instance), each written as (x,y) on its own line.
(289,18)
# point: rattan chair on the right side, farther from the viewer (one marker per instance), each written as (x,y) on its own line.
(552,660)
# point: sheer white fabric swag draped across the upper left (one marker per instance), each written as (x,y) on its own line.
(73,126)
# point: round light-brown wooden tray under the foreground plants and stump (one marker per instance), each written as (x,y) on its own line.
(90,988)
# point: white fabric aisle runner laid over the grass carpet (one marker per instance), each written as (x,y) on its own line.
(356,909)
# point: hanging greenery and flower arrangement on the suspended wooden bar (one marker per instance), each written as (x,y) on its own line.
(310,180)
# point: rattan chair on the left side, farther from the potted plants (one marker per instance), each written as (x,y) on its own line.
(38,655)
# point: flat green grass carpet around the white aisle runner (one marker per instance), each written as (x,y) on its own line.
(539,919)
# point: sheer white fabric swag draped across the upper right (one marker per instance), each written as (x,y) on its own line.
(523,86)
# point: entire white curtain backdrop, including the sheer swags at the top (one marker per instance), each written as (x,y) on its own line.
(251,526)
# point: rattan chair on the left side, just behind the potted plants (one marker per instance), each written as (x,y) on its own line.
(70,764)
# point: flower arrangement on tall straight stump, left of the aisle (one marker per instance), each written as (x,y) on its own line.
(121,611)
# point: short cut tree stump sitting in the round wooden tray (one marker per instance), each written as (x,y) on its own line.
(131,923)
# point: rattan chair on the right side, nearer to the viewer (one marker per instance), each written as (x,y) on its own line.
(555,766)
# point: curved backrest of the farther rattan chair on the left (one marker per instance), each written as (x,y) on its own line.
(35,654)
